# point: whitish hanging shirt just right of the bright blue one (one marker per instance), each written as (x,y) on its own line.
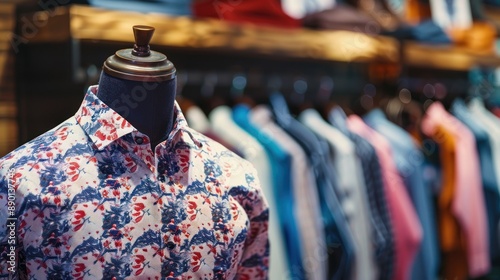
(307,210)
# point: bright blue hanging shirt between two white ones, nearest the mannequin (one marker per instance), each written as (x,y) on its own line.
(281,171)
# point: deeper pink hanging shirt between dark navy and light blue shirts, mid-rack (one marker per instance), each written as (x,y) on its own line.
(407,229)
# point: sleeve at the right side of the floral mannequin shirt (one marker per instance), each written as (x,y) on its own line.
(255,260)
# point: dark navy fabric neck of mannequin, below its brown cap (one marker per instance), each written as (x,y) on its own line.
(148,106)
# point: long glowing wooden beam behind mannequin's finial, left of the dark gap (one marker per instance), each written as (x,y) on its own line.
(89,23)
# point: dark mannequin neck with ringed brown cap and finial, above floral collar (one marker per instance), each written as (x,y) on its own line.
(139,84)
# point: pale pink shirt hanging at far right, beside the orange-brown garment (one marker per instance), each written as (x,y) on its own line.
(468,201)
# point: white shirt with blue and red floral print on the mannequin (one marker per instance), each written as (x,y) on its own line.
(94,201)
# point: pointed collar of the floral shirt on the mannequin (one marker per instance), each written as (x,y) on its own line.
(104,126)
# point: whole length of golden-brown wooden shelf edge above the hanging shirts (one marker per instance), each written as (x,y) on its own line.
(91,24)
